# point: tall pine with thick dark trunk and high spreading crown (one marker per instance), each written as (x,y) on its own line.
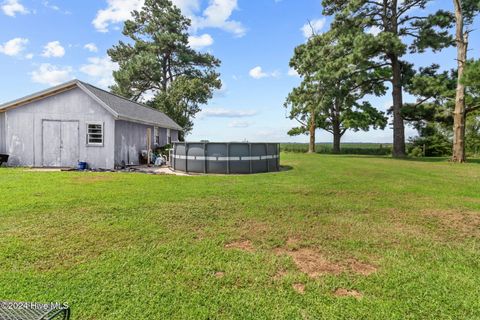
(399,31)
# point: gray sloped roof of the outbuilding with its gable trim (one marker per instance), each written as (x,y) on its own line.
(120,107)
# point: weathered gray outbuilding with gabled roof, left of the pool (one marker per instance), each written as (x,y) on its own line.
(76,121)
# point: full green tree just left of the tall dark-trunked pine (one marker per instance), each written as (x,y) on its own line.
(330,94)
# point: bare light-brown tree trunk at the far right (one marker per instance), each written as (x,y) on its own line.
(459,116)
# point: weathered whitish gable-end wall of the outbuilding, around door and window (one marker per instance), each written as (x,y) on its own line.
(24,129)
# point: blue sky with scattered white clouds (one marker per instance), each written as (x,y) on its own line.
(47,42)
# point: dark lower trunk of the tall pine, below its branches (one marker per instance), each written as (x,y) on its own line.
(397,95)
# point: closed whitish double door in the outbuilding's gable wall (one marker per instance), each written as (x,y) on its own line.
(60,143)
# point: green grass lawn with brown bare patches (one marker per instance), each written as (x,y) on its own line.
(334,237)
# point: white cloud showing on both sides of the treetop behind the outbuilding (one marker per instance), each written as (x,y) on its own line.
(216,15)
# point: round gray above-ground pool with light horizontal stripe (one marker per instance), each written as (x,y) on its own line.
(226,157)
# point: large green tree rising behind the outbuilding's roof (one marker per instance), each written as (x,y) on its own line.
(159,61)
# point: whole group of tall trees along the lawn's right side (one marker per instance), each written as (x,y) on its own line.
(363,54)
